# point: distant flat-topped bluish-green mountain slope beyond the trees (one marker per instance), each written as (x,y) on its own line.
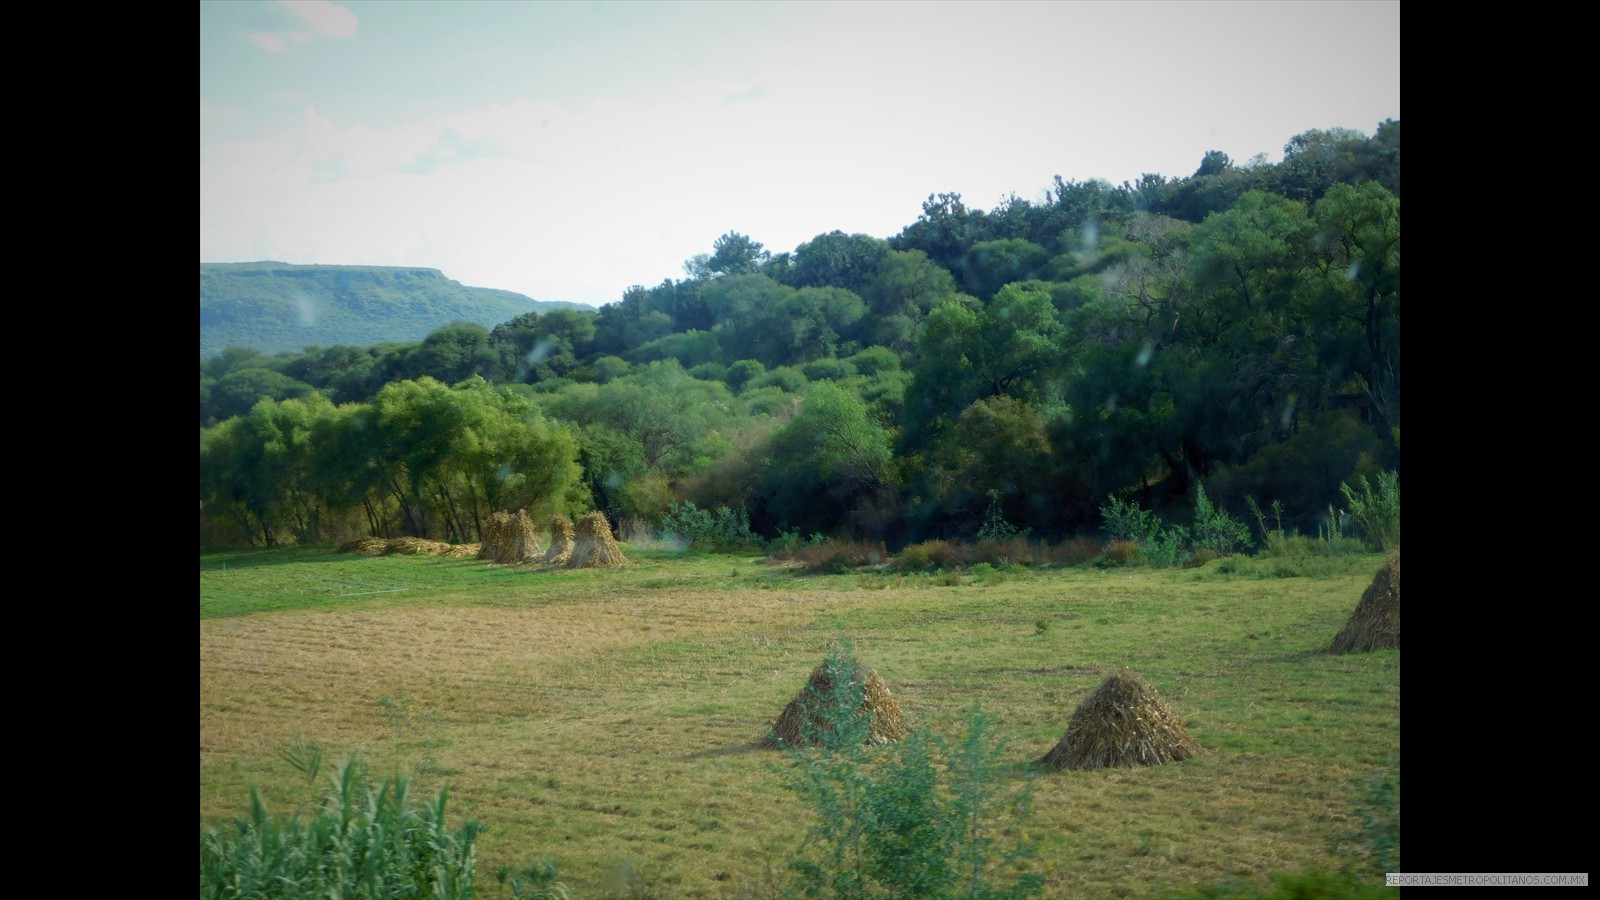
(278,307)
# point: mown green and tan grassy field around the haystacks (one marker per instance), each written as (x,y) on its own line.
(610,720)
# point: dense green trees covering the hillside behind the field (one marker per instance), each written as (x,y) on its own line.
(1239,327)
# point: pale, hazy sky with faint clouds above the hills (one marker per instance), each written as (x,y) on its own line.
(569,151)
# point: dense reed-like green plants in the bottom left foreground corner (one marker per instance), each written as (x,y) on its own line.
(364,843)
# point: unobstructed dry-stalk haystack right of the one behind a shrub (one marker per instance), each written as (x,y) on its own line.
(1124,723)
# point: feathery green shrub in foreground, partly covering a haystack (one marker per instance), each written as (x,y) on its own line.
(929,822)
